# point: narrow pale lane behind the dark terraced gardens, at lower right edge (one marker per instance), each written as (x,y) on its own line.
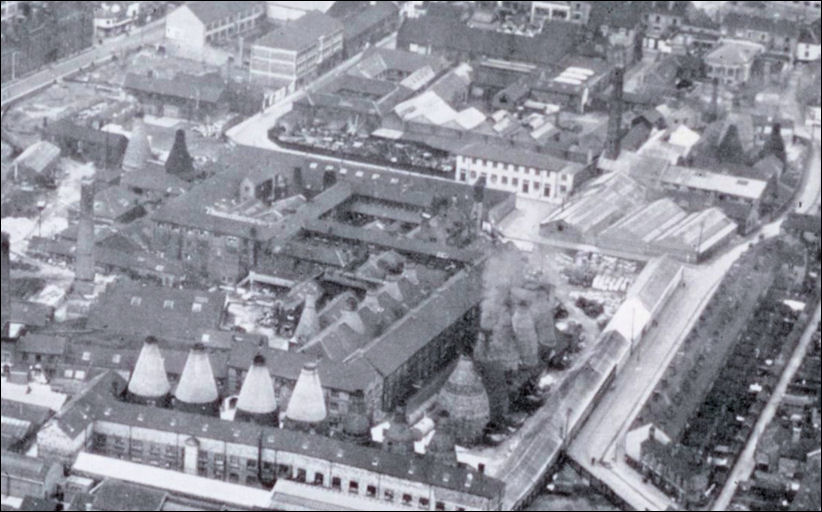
(744,466)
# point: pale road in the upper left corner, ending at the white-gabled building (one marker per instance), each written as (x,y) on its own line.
(151,33)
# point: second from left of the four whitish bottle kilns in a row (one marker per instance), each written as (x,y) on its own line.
(197,390)
